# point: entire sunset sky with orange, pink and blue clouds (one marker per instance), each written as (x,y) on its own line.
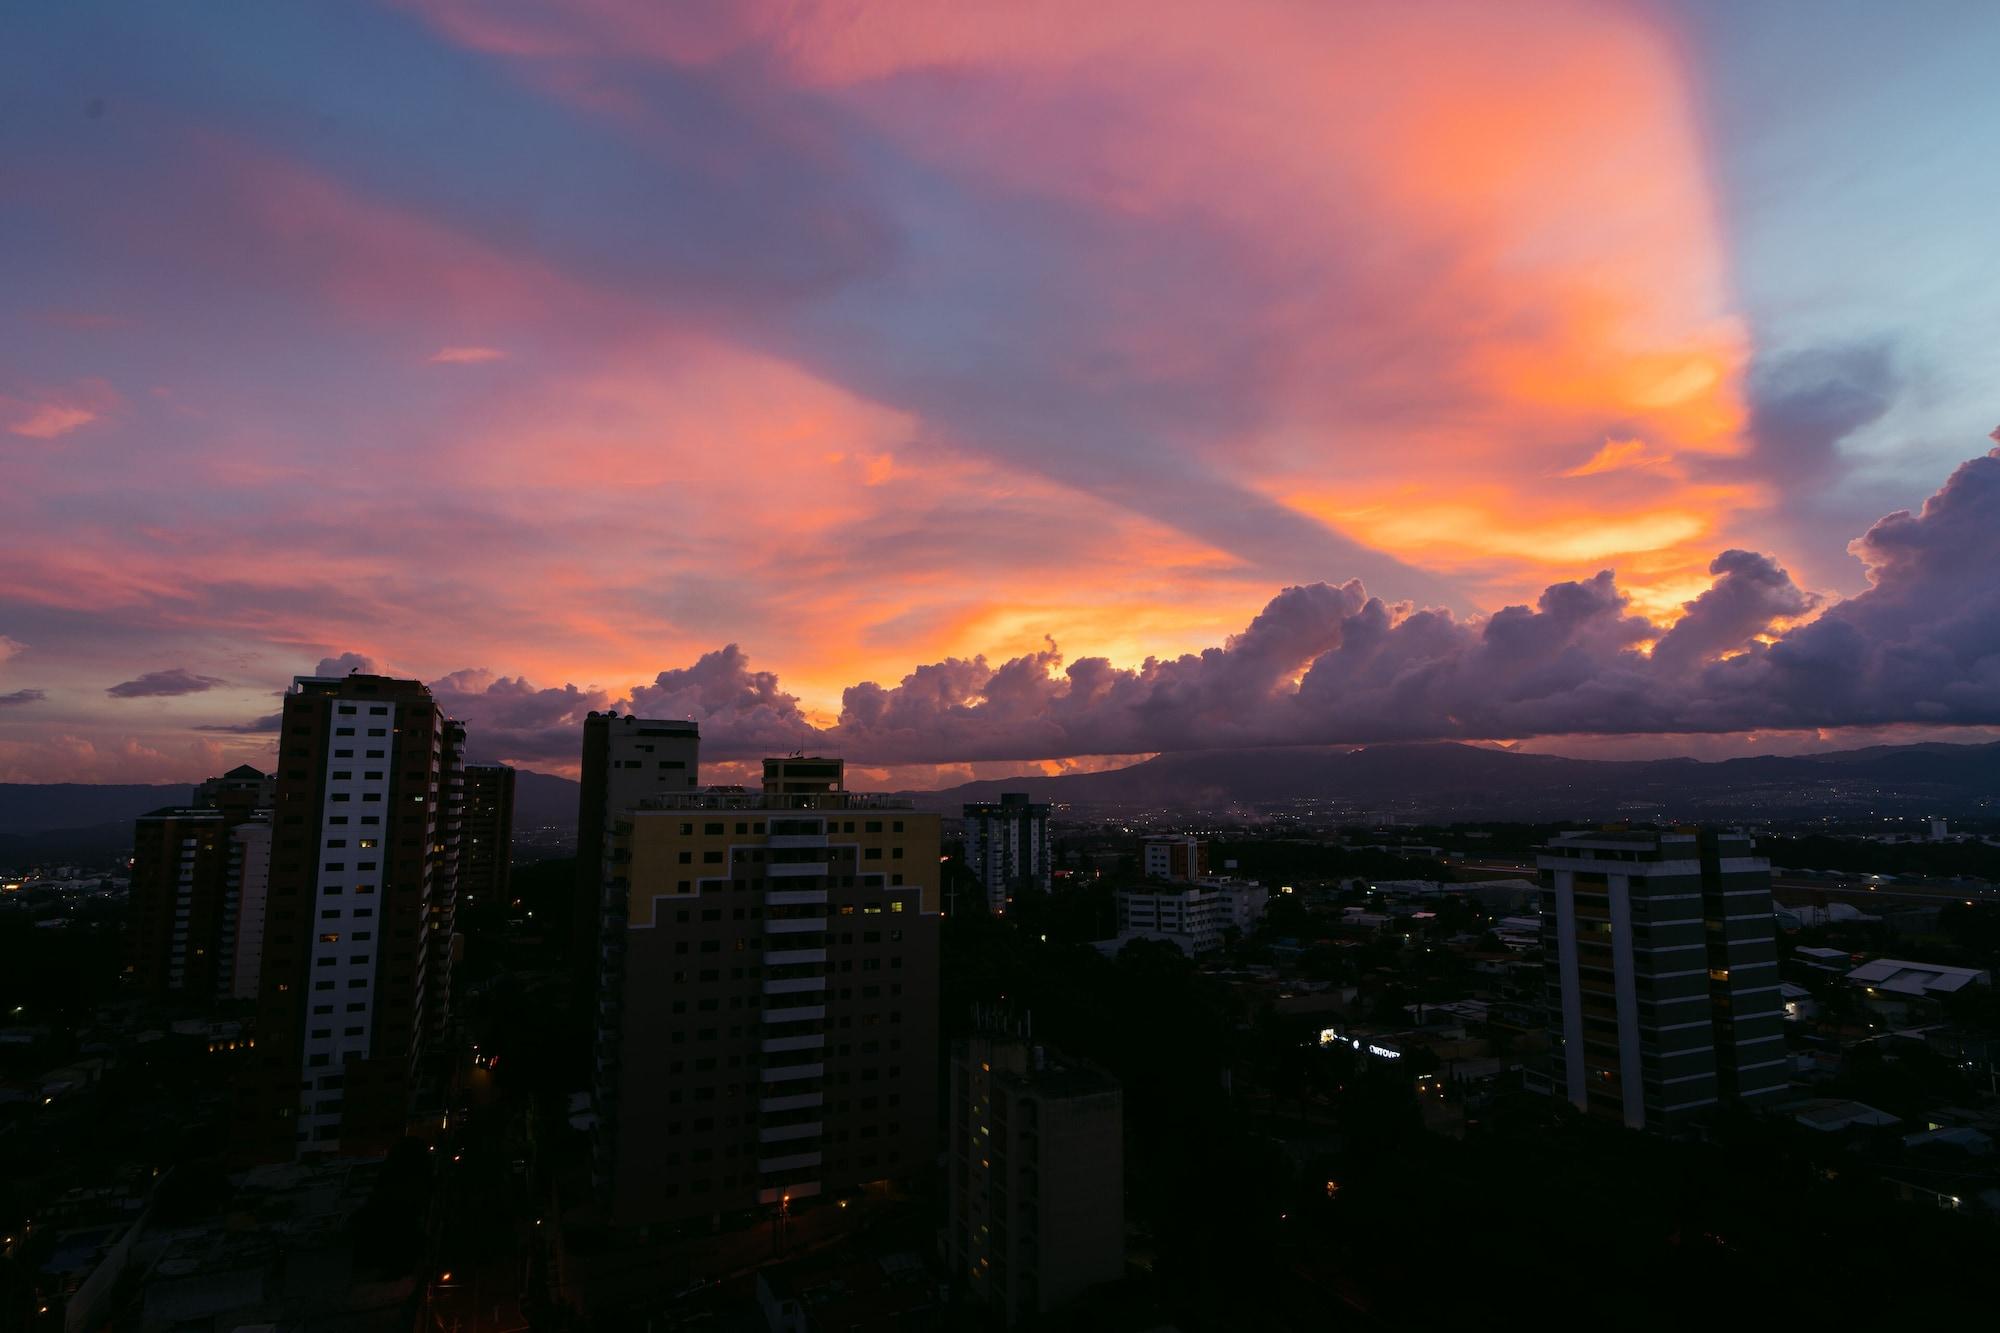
(999,387)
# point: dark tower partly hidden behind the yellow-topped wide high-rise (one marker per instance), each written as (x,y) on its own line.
(625,762)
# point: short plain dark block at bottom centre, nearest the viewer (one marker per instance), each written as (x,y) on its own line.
(1035,1178)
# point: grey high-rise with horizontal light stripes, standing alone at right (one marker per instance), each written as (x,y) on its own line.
(1663,974)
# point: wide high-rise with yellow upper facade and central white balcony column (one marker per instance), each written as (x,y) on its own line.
(769,1010)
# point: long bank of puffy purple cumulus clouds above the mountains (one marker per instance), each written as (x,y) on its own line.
(1327,665)
